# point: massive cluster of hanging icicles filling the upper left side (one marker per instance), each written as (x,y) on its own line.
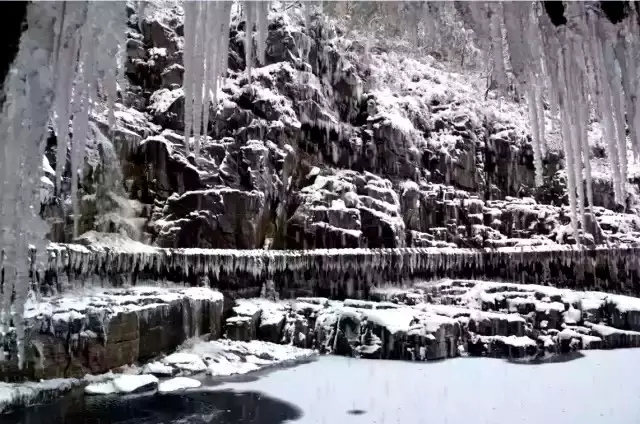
(56,68)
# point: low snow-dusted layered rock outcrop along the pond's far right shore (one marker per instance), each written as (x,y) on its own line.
(449,319)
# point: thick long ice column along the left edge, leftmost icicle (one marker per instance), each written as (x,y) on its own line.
(29,89)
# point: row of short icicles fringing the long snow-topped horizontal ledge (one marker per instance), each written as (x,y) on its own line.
(561,264)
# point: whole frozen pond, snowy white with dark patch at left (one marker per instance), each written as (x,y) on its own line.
(601,387)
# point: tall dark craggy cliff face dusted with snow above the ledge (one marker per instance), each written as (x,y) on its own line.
(325,147)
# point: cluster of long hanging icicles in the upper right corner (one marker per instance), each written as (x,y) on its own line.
(588,61)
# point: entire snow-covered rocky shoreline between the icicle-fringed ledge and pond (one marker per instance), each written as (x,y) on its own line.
(216,336)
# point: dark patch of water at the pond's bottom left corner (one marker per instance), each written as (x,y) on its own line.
(219,407)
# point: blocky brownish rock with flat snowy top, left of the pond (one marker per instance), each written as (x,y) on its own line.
(92,334)
